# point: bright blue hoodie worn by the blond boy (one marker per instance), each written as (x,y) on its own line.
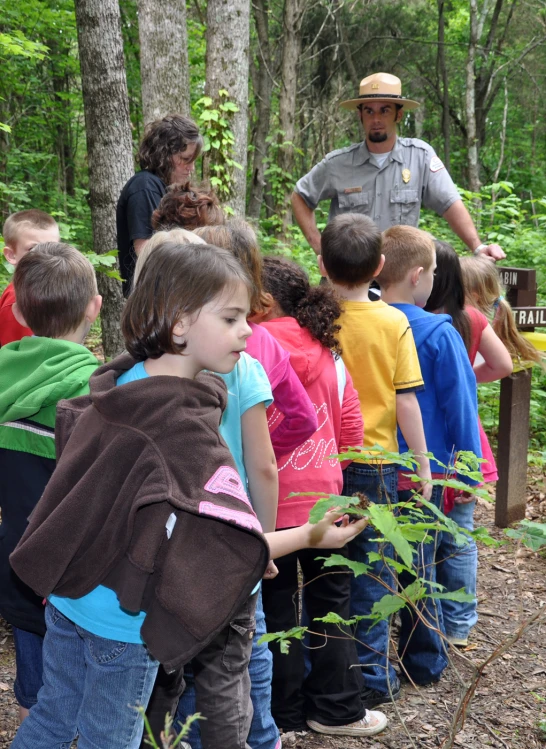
(449,401)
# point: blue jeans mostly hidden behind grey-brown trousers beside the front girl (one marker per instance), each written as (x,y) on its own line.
(263,731)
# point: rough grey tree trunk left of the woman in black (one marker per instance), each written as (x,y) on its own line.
(109,147)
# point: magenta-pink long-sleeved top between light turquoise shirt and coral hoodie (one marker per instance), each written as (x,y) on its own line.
(299,418)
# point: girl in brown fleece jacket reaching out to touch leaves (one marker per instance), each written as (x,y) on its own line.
(153,550)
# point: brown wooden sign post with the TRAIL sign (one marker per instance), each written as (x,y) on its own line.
(515,400)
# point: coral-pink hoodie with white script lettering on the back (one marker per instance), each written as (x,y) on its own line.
(336,403)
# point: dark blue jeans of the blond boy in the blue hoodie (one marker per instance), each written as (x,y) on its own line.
(421,649)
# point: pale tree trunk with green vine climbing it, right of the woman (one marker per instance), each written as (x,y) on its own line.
(228,31)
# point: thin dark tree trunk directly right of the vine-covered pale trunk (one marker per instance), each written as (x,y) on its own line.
(263,91)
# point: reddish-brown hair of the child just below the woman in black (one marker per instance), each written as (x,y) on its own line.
(187,207)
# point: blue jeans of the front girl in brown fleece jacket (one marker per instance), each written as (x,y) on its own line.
(91,687)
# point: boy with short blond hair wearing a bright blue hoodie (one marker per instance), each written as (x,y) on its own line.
(450,418)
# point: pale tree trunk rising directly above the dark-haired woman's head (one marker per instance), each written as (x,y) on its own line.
(164,68)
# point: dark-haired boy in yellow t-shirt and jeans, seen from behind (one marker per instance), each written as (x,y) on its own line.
(380,354)
